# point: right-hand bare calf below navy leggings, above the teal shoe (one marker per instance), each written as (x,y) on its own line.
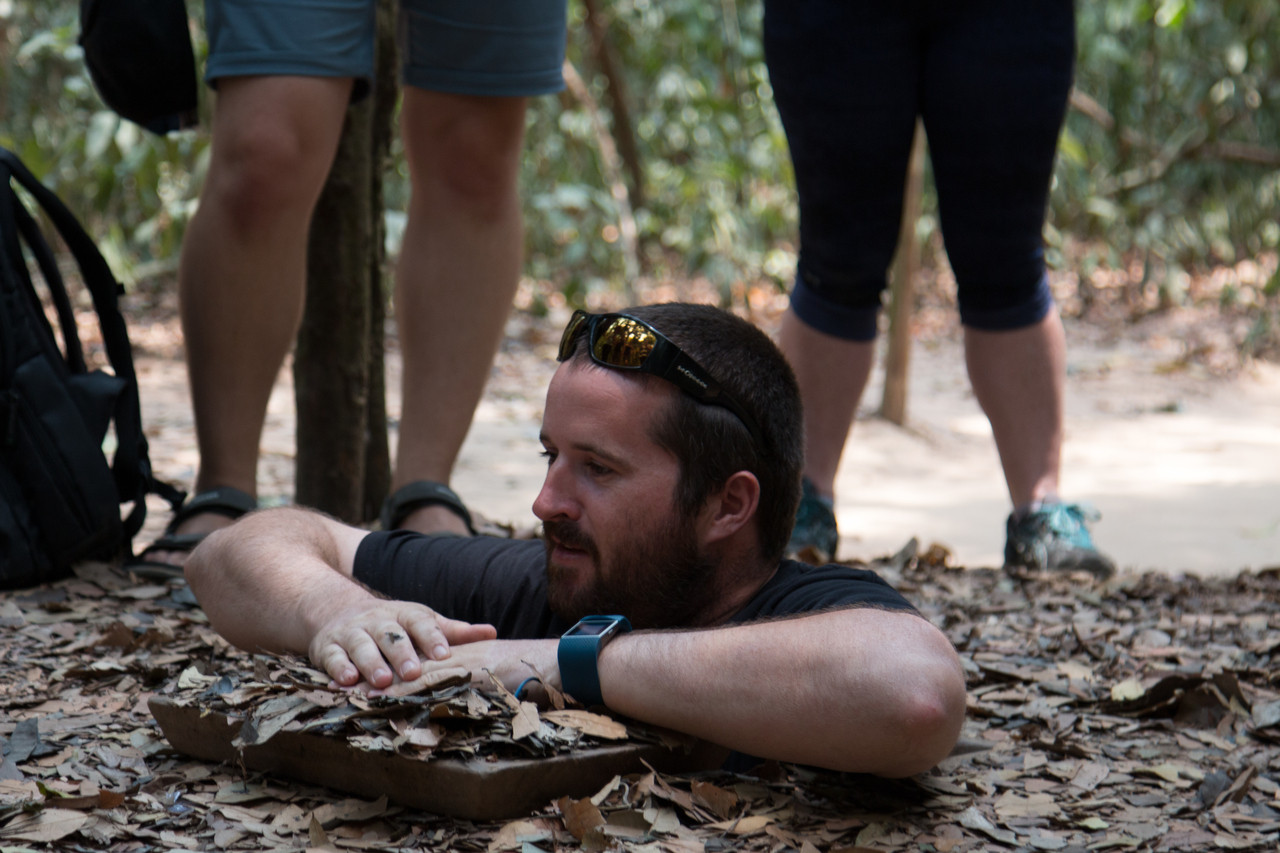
(1020,378)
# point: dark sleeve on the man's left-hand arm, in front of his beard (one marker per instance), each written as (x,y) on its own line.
(478,580)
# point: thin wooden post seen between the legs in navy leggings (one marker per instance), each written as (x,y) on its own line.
(907,264)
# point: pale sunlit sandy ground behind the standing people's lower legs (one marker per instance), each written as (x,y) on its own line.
(1182,463)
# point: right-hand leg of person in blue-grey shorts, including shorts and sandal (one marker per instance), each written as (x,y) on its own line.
(469,70)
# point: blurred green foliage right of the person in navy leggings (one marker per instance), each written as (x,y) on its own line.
(1191,90)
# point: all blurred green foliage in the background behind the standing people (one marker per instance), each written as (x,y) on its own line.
(1169,163)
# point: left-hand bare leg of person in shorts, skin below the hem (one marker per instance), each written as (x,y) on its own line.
(244,262)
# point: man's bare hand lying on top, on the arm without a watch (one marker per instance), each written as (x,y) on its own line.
(378,641)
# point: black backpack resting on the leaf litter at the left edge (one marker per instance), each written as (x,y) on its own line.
(61,500)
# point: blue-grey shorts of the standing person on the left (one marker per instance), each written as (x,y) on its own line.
(504,48)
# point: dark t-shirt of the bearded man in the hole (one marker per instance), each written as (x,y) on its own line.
(504,583)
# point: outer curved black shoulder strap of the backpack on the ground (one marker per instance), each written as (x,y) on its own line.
(132,464)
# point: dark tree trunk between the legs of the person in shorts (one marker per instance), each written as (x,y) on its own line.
(342,459)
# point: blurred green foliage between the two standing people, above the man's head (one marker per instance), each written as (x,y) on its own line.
(717,175)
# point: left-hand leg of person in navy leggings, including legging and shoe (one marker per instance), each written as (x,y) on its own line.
(845,83)
